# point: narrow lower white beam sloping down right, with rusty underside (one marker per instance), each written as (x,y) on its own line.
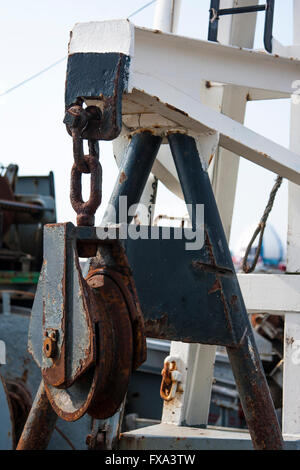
(203,120)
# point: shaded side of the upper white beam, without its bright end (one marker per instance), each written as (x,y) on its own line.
(170,57)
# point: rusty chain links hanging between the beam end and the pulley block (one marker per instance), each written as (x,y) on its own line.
(83,124)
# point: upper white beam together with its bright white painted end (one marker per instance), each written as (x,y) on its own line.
(207,60)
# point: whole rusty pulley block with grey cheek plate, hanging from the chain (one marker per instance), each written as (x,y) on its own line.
(92,328)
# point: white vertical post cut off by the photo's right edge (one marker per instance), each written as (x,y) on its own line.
(291,373)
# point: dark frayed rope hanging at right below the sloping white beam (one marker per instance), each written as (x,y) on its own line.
(260,229)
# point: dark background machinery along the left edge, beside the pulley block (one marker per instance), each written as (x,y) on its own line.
(26,204)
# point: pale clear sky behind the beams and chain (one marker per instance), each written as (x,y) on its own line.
(35,33)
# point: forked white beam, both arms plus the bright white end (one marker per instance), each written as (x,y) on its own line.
(165,73)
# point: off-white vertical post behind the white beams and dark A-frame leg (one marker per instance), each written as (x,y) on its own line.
(191,406)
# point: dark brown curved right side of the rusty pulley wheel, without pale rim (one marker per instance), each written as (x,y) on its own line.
(118,349)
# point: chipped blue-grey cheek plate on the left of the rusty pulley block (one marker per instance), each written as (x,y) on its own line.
(63,294)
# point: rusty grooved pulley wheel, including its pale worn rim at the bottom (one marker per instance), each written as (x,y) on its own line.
(101,389)
